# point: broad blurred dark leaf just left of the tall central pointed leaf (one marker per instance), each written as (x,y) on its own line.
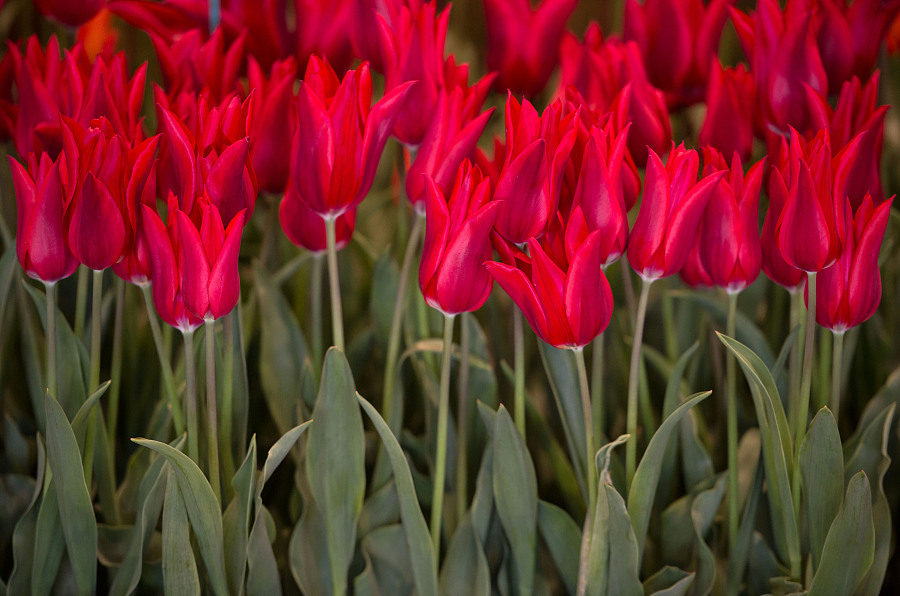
(282,352)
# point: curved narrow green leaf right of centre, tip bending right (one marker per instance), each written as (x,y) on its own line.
(643,487)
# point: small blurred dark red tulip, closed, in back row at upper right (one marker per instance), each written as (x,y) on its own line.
(730,102)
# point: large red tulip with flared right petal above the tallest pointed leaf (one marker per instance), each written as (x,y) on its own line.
(339,138)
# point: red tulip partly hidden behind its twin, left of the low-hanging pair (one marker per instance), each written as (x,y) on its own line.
(167,266)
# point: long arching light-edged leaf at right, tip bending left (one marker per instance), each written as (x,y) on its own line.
(777,451)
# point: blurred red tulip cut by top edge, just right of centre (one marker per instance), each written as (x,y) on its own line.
(523,42)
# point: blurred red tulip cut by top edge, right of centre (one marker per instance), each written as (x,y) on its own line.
(678,41)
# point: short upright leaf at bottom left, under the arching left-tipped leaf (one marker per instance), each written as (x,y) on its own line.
(178,565)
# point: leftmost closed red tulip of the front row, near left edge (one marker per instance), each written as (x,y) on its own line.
(40,232)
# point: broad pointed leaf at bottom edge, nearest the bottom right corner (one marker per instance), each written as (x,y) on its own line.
(850,546)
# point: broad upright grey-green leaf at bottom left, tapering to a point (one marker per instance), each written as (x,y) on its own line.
(75,509)
